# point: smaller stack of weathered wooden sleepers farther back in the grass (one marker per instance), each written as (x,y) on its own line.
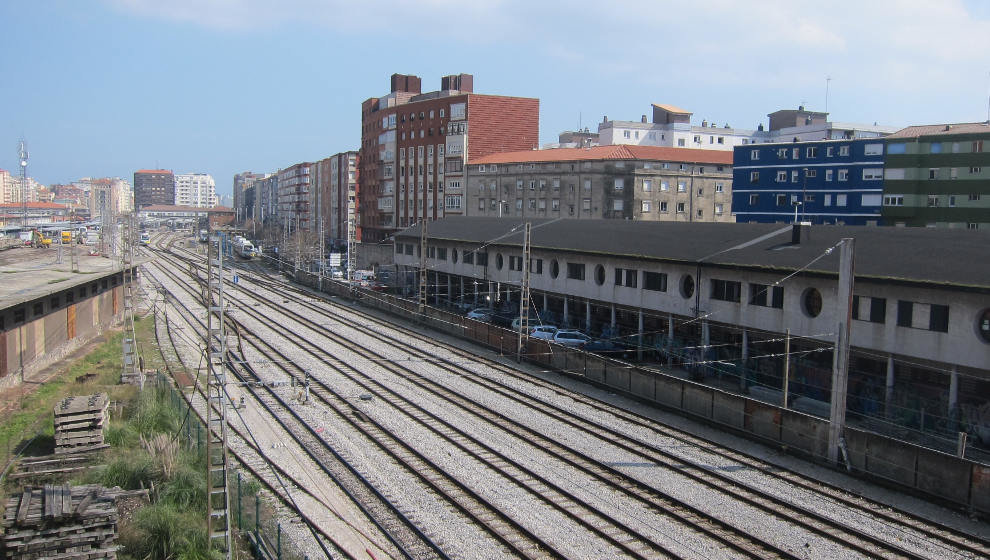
(79,423)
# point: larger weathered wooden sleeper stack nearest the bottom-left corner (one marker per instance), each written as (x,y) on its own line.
(61,522)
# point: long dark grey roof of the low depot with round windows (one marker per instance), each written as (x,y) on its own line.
(949,257)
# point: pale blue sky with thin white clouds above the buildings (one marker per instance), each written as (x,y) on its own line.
(106,87)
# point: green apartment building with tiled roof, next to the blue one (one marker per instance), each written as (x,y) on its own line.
(938,176)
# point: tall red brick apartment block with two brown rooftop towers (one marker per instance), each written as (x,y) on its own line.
(415,148)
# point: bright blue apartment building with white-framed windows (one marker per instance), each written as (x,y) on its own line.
(824,182)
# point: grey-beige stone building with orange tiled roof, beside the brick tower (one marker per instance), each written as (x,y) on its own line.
(604,182)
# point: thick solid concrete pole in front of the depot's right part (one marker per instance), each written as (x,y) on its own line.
(840,356)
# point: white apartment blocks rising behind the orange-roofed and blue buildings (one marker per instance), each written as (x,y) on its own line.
(671,126)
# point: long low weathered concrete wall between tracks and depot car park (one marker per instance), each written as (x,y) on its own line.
(945,477)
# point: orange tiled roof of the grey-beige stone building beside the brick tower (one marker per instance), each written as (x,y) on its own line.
(613,152)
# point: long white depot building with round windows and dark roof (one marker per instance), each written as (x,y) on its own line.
(715,301)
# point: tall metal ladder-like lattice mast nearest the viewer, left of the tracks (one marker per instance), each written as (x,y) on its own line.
(217,497)
